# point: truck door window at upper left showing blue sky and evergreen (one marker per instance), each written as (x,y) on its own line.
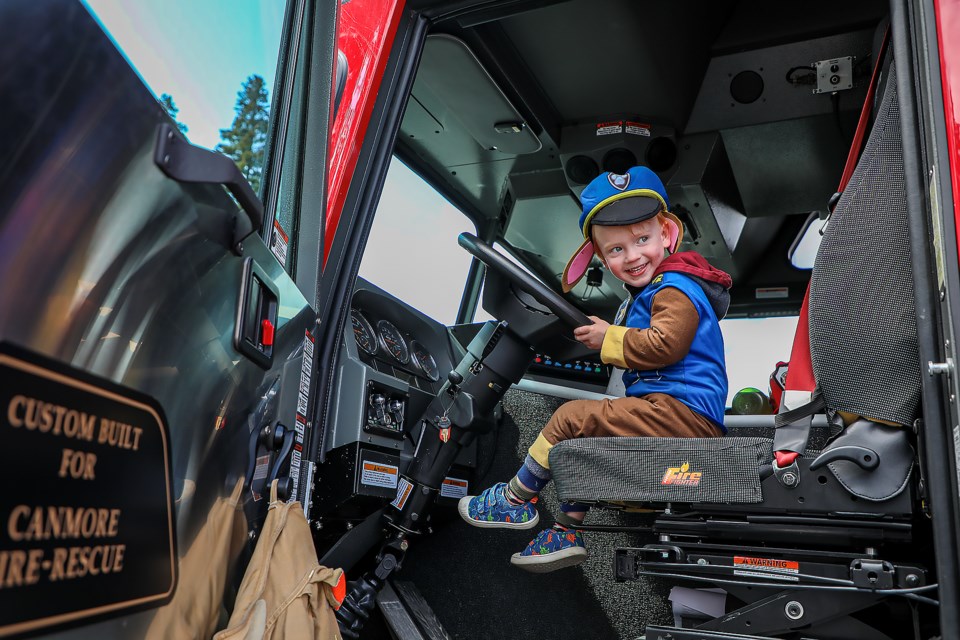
(211,65)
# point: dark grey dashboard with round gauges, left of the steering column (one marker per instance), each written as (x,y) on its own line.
(393,363)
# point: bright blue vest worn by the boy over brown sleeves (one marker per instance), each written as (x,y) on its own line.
(699,380)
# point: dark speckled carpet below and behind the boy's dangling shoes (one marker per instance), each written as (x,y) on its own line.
(464,573)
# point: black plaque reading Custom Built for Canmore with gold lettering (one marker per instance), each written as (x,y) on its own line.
(86,510)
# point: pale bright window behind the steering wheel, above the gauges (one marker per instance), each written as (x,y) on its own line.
(412,251)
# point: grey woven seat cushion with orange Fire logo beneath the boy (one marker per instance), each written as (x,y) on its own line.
(713,470)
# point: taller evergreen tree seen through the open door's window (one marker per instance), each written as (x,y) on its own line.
(246,139)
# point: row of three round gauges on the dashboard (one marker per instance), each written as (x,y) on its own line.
(382,342)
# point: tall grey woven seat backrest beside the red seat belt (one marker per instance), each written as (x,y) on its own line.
(863,333)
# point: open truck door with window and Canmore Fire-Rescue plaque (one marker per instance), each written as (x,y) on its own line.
(157,302)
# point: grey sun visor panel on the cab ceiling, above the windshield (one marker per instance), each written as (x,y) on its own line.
(452,81)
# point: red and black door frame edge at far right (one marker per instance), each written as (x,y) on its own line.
(932,183)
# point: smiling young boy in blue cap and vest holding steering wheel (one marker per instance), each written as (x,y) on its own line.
(666,336)
